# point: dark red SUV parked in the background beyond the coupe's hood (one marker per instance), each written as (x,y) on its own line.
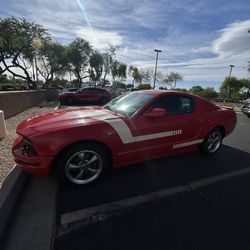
(86,95)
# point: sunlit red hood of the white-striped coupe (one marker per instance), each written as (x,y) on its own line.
(63,118)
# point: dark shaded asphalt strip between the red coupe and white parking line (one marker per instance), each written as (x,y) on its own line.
(151,176)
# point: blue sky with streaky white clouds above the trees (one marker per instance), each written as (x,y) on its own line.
(198,38)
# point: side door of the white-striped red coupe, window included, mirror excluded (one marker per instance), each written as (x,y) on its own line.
(159,136)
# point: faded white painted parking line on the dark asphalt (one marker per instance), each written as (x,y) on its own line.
(108,208)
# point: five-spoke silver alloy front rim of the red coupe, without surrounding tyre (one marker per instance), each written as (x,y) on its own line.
(84,167)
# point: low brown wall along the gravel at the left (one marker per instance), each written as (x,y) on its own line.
(14,102)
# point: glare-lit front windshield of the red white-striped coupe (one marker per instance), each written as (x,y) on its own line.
(128,104)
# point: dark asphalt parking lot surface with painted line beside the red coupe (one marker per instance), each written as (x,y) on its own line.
(184,202)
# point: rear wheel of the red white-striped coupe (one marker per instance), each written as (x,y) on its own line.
(212,142)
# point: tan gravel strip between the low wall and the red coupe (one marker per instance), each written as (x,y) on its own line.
(6,159)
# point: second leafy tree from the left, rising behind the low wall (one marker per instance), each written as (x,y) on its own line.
(53,61)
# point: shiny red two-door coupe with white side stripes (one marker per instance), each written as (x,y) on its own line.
(81,144)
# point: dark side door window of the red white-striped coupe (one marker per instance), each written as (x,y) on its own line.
(175,104)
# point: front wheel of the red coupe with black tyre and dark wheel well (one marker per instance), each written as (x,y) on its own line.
(82,164)
